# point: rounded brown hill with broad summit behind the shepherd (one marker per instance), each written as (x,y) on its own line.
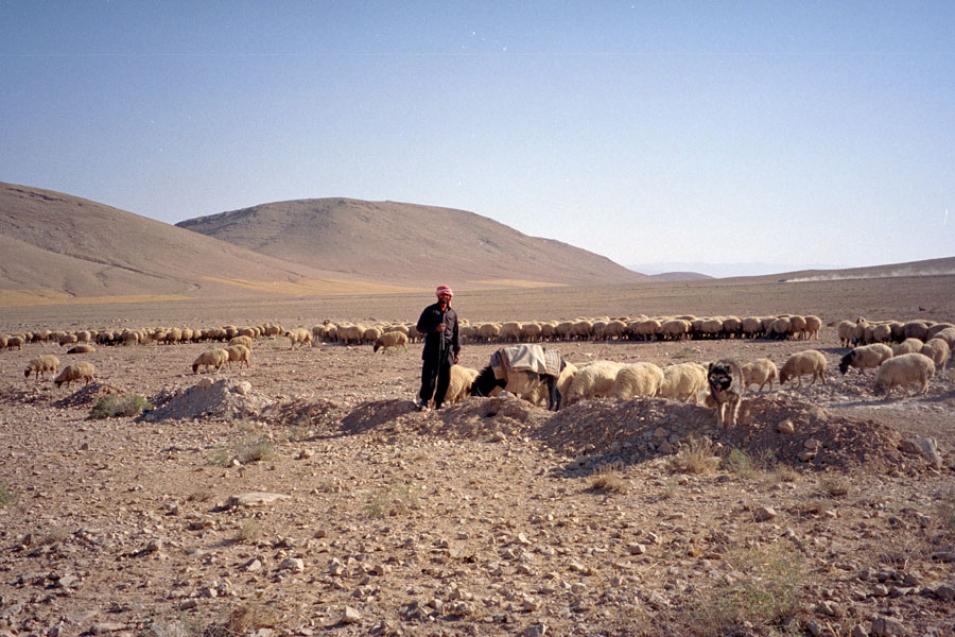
(408,243)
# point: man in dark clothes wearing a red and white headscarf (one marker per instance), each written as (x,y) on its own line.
(439,324)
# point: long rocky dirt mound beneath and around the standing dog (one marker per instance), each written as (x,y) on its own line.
(639,429)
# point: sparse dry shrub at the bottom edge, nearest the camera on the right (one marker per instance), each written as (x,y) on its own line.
(765,590)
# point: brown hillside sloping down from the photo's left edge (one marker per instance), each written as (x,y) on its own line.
(57,248)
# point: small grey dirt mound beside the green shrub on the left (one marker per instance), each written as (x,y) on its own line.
(209,399)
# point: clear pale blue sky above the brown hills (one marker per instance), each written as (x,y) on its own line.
(762,133)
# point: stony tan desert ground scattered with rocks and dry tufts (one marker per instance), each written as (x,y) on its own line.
(816,514)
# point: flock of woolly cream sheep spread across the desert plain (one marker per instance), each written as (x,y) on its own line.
(903,353)
